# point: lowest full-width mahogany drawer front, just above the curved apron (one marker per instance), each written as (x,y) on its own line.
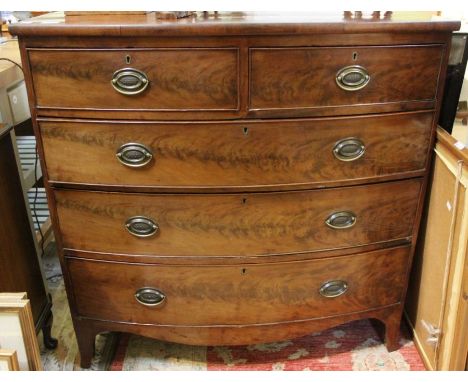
(217,295)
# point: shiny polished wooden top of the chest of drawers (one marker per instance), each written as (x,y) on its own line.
(230,23)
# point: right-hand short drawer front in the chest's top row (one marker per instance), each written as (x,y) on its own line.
(308,78)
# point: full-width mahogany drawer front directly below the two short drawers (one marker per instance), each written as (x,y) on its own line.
(250,154)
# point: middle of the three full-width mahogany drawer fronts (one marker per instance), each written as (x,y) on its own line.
(237,224)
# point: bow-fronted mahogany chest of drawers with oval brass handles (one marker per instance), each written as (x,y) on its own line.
(234,180)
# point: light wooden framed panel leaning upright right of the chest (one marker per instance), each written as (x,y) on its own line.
(431,298)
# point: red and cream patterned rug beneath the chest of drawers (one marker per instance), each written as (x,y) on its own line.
(353,346)
